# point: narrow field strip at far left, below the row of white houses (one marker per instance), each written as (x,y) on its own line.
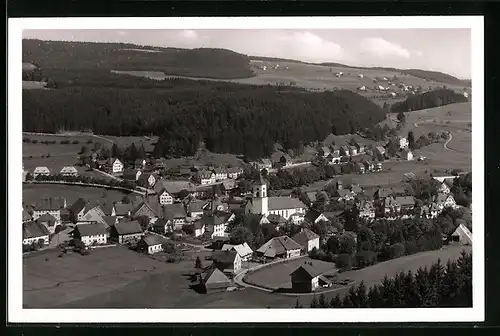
(33,192)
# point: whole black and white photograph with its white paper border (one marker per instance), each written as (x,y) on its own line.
(249,169)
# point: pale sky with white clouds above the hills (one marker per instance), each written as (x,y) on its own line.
(445,50)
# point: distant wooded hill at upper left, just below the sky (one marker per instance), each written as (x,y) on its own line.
(50,56)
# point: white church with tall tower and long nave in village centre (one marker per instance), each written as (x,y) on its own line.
(260,204)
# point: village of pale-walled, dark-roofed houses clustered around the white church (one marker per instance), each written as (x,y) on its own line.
(202,208)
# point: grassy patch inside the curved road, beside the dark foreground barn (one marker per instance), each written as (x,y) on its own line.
(278,275)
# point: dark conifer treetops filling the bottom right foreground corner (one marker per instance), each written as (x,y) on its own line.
(440,285)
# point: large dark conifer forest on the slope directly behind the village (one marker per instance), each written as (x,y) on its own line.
(227,117)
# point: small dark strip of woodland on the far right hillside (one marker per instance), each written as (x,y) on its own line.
(428,100)
